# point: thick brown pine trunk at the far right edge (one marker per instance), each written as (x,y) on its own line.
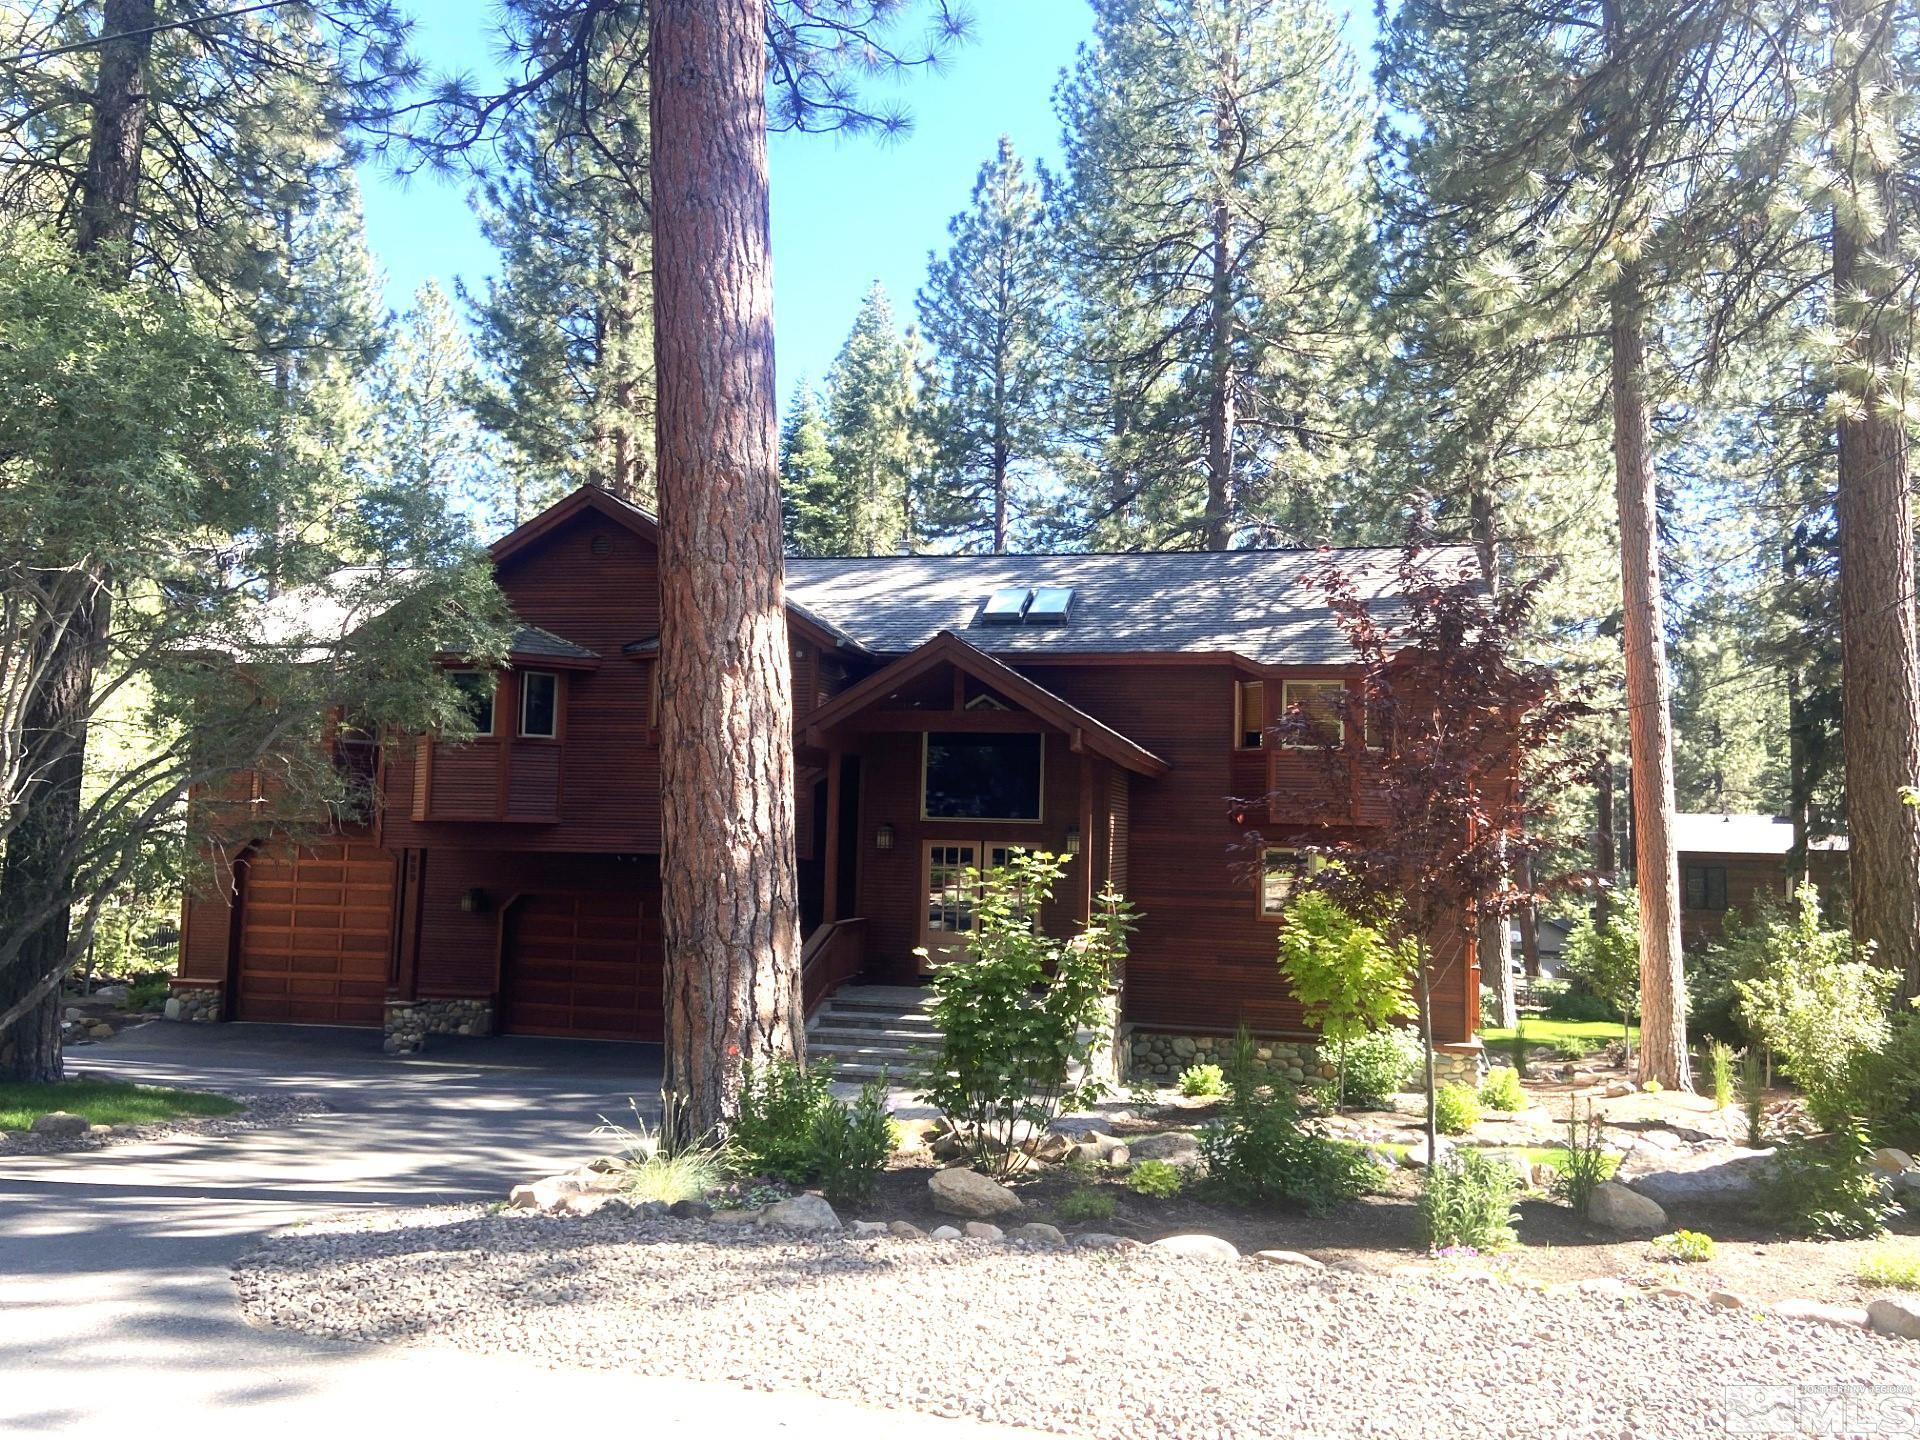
(1881,665)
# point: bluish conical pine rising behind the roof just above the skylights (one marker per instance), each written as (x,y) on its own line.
(990,312)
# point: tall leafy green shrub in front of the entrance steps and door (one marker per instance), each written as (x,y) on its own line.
(1022,1017)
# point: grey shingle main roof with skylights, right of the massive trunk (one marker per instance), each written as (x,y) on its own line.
(1247,602)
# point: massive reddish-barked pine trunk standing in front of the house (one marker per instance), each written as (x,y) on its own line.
(727,704)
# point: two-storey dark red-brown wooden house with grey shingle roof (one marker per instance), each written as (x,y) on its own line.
(946,708)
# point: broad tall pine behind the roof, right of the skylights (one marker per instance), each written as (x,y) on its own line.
(1214,228)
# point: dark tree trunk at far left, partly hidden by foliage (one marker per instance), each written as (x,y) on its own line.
(39,855)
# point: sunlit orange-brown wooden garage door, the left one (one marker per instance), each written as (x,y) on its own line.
(316,936)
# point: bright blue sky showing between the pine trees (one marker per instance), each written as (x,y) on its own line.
(848,212)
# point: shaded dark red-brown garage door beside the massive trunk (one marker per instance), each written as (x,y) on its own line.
(581,965)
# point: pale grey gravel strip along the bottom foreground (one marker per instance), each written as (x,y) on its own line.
(1072,1343)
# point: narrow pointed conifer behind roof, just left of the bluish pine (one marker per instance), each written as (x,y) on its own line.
(875,433)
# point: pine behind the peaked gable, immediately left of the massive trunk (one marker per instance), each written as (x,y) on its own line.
(567,324)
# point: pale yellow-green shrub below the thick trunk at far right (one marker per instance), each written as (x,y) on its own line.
(1819,1009)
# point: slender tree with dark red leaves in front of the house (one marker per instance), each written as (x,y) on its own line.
(1472,750)
